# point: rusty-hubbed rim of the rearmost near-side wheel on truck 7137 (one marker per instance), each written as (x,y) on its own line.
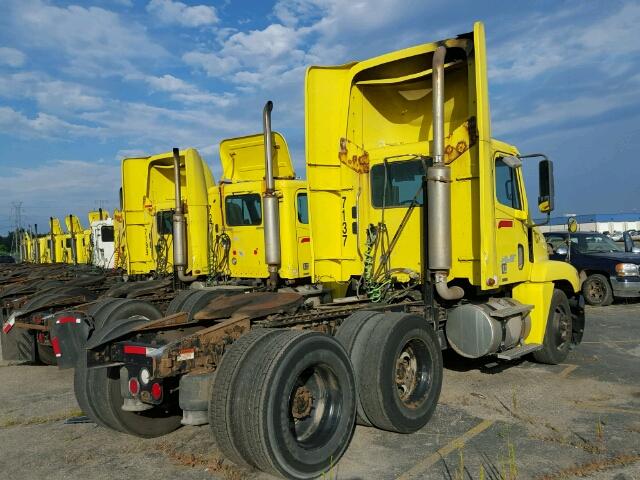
(315,406)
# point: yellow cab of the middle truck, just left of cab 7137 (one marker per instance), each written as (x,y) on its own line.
(241,191)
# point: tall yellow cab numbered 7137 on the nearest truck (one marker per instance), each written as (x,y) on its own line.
(407,188)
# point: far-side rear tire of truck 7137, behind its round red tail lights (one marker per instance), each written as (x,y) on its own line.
(100,387)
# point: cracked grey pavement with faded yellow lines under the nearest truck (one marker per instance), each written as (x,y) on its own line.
(522,420)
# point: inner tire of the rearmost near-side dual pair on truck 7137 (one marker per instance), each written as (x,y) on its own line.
(223,389)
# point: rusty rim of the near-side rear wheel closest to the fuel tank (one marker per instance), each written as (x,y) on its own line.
(413,373)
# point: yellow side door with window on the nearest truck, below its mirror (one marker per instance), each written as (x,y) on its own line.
(511,220)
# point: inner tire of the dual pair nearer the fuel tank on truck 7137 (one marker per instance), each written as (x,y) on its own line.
(347,334)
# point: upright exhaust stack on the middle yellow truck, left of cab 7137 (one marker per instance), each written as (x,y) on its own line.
(273,257)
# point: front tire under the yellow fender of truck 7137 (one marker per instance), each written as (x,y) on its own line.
(557,337)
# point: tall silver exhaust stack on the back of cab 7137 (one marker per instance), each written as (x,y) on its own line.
(439,191)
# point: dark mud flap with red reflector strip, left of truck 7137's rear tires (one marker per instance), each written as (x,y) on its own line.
(69,332)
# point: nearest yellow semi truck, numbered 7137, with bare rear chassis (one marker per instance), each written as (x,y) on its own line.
(422,239)
